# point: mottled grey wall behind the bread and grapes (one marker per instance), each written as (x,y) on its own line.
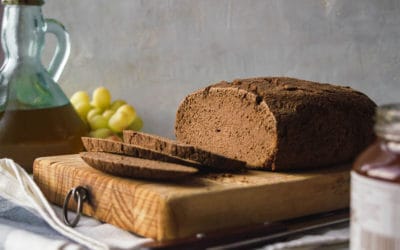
(155,52)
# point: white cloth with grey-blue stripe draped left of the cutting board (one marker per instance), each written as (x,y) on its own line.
(23,206)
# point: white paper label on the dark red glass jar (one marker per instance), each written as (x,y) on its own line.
(375,214)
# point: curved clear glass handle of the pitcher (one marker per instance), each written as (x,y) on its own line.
(63,48)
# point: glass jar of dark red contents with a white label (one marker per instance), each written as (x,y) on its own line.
(375,187)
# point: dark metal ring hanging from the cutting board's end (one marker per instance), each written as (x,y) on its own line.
(80,195)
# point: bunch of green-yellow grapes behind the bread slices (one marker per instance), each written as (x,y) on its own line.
(104,117)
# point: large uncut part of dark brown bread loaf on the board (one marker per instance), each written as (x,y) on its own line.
(278,123)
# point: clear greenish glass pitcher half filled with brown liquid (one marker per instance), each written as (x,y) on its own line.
(36,118)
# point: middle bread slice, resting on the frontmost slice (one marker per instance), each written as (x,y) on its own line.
(117,147)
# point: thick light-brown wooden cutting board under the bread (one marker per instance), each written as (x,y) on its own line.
(198,204)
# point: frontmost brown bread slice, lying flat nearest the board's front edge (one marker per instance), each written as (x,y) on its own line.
(126,166)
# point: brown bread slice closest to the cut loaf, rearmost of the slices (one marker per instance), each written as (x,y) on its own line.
(182,150)
